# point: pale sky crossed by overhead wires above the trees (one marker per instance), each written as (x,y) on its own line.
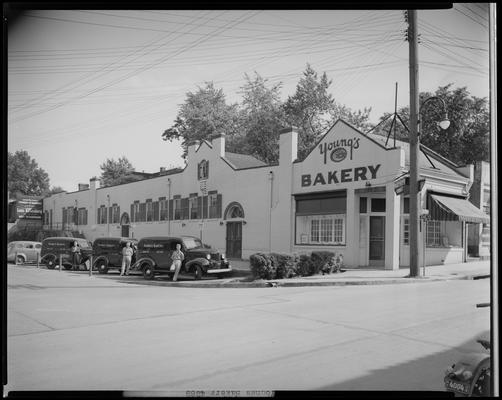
(85,86)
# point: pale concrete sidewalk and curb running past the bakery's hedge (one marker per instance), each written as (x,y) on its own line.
(242,276)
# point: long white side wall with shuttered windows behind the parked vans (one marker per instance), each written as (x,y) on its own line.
(249,187)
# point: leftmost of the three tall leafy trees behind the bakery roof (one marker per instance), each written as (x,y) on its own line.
(203,113)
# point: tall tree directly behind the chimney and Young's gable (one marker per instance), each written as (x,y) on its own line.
(313,110)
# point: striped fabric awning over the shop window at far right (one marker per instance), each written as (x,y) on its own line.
(456,209)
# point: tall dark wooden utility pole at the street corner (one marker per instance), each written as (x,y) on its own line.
(414,141)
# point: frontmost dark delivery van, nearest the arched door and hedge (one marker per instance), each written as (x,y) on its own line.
(154,257)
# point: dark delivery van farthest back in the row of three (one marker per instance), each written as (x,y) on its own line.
(53,247)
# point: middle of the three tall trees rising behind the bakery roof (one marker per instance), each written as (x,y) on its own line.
(262,119)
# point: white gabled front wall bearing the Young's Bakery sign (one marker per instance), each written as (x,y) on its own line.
(366,154)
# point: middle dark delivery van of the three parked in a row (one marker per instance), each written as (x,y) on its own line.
(107,253)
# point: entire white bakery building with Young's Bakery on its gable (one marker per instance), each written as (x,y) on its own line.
(341,197)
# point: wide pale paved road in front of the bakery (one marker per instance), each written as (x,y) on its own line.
(69,331)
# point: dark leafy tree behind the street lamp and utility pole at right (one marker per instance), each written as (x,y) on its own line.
(466,140)
